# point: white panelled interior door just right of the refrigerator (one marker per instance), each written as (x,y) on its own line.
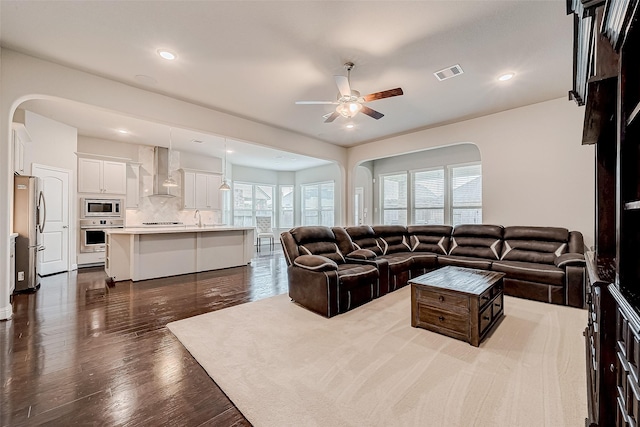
(55,237)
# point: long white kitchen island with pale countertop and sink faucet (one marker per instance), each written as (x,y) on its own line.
(148,253)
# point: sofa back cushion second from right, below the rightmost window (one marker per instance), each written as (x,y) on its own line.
(477,241)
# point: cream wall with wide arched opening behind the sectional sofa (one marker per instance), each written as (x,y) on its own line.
(535,170)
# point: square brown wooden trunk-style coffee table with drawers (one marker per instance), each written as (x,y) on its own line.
(462,303)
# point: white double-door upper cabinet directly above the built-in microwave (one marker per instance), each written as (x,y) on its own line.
(101,176)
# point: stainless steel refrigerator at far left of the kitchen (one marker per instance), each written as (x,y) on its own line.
(29,217)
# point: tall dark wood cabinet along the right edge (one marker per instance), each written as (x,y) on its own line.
(607,82)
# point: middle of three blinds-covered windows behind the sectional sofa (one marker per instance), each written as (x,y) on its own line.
(428,197)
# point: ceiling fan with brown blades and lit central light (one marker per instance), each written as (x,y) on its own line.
(349,102)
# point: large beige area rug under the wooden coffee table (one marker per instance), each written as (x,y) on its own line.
(282,365)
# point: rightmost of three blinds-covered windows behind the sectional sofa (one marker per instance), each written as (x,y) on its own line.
(466,194)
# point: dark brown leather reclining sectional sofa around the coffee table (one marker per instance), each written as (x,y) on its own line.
(332,270)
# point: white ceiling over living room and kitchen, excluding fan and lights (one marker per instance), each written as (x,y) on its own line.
(254,59)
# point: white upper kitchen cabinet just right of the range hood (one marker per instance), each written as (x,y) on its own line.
(200,190)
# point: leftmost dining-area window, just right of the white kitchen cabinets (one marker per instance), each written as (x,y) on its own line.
(251,200)
